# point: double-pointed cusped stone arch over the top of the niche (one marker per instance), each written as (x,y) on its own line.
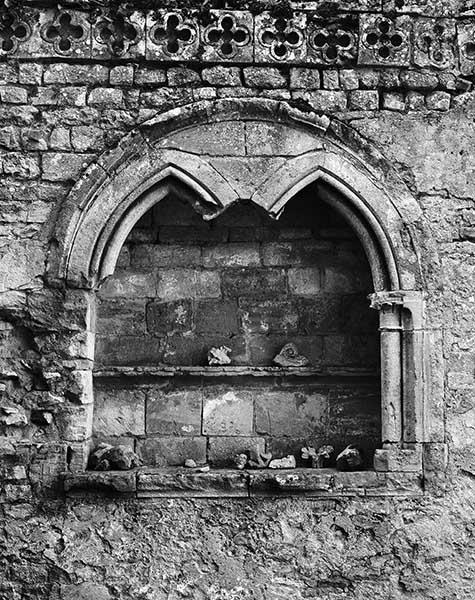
(115,192)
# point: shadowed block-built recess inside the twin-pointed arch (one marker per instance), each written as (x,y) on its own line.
(244,280)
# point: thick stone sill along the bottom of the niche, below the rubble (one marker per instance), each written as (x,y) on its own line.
(179,482)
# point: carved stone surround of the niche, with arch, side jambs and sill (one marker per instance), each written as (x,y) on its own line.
(103,208)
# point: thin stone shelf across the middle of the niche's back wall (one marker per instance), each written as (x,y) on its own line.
(230,371)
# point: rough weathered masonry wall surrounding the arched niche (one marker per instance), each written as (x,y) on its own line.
(407,117)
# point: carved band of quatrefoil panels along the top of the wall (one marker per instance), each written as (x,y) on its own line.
(238,36)
